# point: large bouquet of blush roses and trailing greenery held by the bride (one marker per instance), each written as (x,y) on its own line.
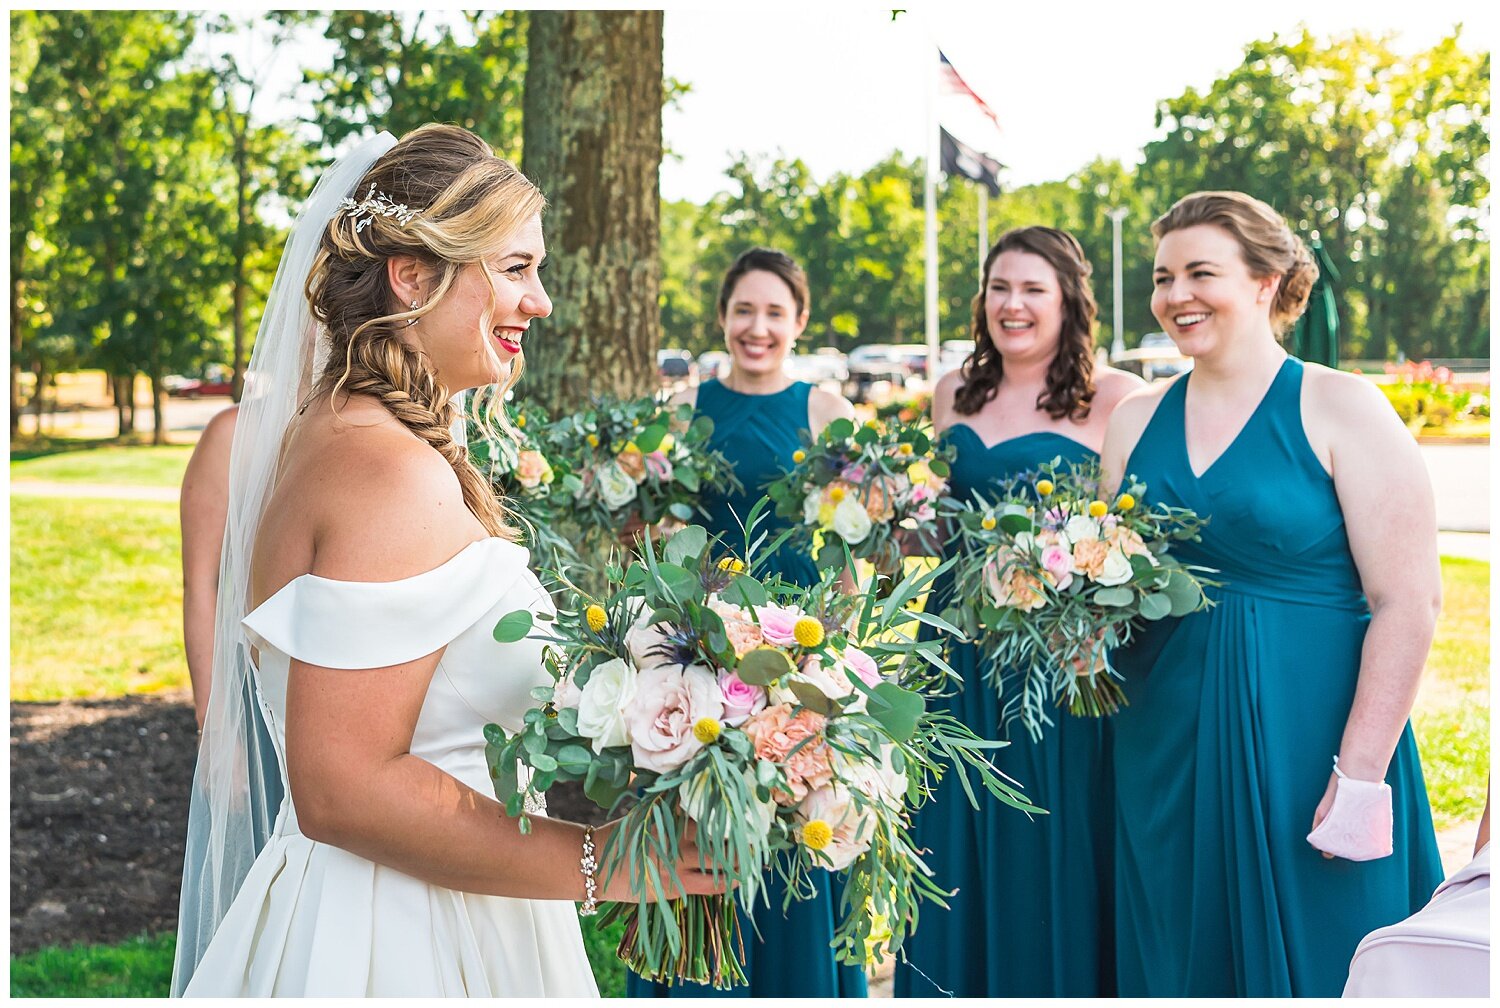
(778,721)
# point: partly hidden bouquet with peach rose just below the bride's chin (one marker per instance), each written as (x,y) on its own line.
(521,472)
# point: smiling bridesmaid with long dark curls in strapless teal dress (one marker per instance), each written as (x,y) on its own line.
(1033,917)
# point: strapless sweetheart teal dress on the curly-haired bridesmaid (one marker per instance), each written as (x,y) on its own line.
(1034,911)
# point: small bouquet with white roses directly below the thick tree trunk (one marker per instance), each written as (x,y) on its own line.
(637,460)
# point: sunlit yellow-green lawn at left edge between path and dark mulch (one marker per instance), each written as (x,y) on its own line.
(95,598)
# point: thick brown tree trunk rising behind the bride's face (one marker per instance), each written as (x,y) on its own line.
(593,143)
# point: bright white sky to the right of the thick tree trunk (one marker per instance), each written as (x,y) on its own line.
(842,86)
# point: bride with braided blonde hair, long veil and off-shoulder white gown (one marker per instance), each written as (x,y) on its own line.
(365,568)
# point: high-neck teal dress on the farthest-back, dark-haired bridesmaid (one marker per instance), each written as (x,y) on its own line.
(791,958)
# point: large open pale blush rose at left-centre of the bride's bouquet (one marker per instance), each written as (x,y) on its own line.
(661,716)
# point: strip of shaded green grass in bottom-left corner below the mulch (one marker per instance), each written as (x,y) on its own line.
(137,968)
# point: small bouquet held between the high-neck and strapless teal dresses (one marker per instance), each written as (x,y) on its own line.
(856,487)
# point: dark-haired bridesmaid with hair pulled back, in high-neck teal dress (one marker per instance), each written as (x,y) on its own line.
(758,415)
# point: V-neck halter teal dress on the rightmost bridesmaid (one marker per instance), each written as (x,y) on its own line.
(1235,716)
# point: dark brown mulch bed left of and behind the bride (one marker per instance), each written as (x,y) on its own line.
(100,812)
